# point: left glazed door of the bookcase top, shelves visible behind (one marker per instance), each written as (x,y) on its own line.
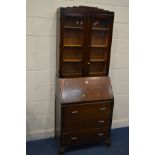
(73,45)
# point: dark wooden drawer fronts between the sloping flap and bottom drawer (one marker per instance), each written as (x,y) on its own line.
(86,116)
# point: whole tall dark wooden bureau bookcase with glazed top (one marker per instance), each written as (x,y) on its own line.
(84,98)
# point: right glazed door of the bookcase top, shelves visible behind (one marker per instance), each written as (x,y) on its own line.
(99,45)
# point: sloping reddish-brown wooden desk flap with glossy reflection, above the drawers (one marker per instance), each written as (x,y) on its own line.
(85,89)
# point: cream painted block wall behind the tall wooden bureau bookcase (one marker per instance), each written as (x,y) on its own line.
(41,53)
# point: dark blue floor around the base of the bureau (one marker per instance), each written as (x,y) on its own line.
(119,146)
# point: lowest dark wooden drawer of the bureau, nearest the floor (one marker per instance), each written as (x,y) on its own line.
(85,136)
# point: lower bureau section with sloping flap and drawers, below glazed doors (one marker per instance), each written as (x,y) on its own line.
(83,117)
